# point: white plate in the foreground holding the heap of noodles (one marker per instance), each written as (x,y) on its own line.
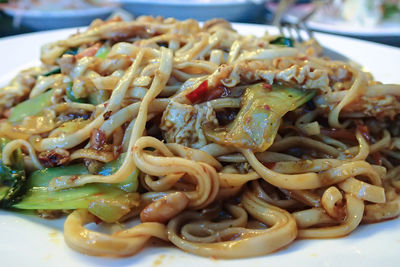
(30,241)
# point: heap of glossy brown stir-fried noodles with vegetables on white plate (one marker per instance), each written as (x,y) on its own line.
(223,145)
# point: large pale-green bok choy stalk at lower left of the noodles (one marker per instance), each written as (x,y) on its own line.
(109,202)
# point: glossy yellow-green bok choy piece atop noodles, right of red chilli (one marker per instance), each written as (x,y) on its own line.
(258,120)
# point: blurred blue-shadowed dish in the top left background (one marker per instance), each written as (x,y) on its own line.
(47,20)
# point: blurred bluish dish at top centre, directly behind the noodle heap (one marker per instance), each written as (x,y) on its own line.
(232,10)
